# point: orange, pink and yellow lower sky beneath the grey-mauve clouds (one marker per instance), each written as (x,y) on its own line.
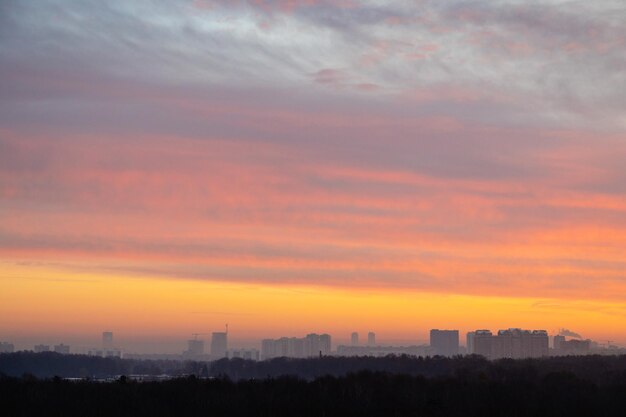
(188,237)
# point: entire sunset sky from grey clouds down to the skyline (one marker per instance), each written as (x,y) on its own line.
(297,166)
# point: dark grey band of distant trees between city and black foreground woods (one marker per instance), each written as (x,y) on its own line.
(48,365)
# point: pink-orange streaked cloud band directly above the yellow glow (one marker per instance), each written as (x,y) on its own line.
(250,211)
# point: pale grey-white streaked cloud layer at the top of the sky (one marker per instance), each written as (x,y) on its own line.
(563,60)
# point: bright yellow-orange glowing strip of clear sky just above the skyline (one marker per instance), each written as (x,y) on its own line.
(49,300)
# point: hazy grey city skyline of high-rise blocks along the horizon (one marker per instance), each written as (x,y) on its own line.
(215,345)
